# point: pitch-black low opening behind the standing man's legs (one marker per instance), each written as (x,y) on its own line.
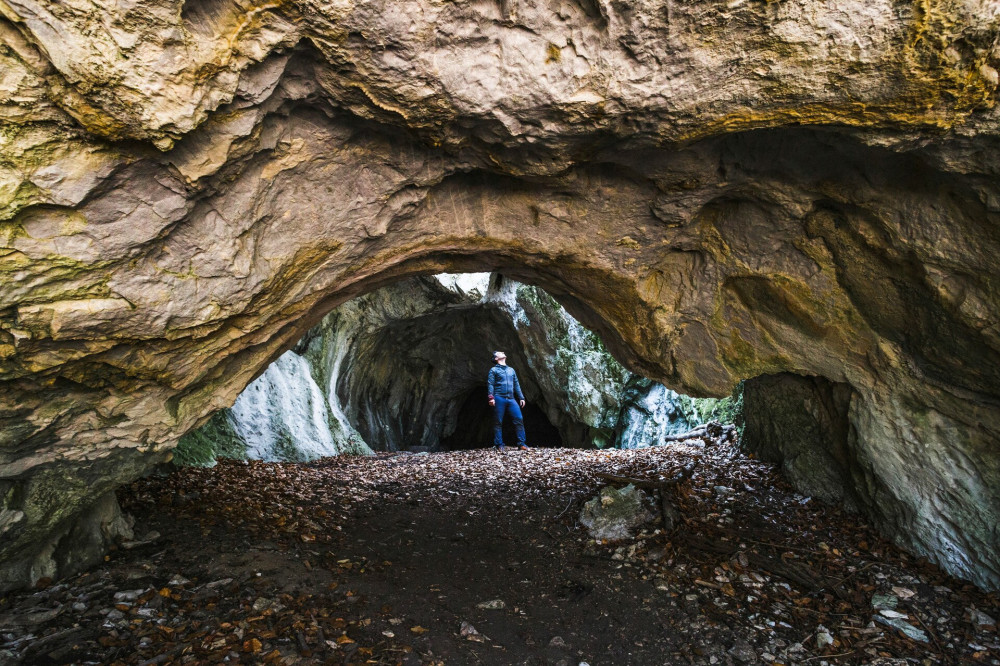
(474,425)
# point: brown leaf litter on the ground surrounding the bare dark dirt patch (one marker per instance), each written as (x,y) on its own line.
(791,581)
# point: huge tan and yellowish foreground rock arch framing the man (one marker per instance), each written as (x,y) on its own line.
(720,189)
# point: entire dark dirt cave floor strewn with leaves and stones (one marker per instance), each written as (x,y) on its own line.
(478,558)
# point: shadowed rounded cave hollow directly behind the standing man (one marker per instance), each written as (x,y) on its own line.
(419,383)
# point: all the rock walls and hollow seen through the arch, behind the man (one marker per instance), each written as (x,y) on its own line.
(404,367)
